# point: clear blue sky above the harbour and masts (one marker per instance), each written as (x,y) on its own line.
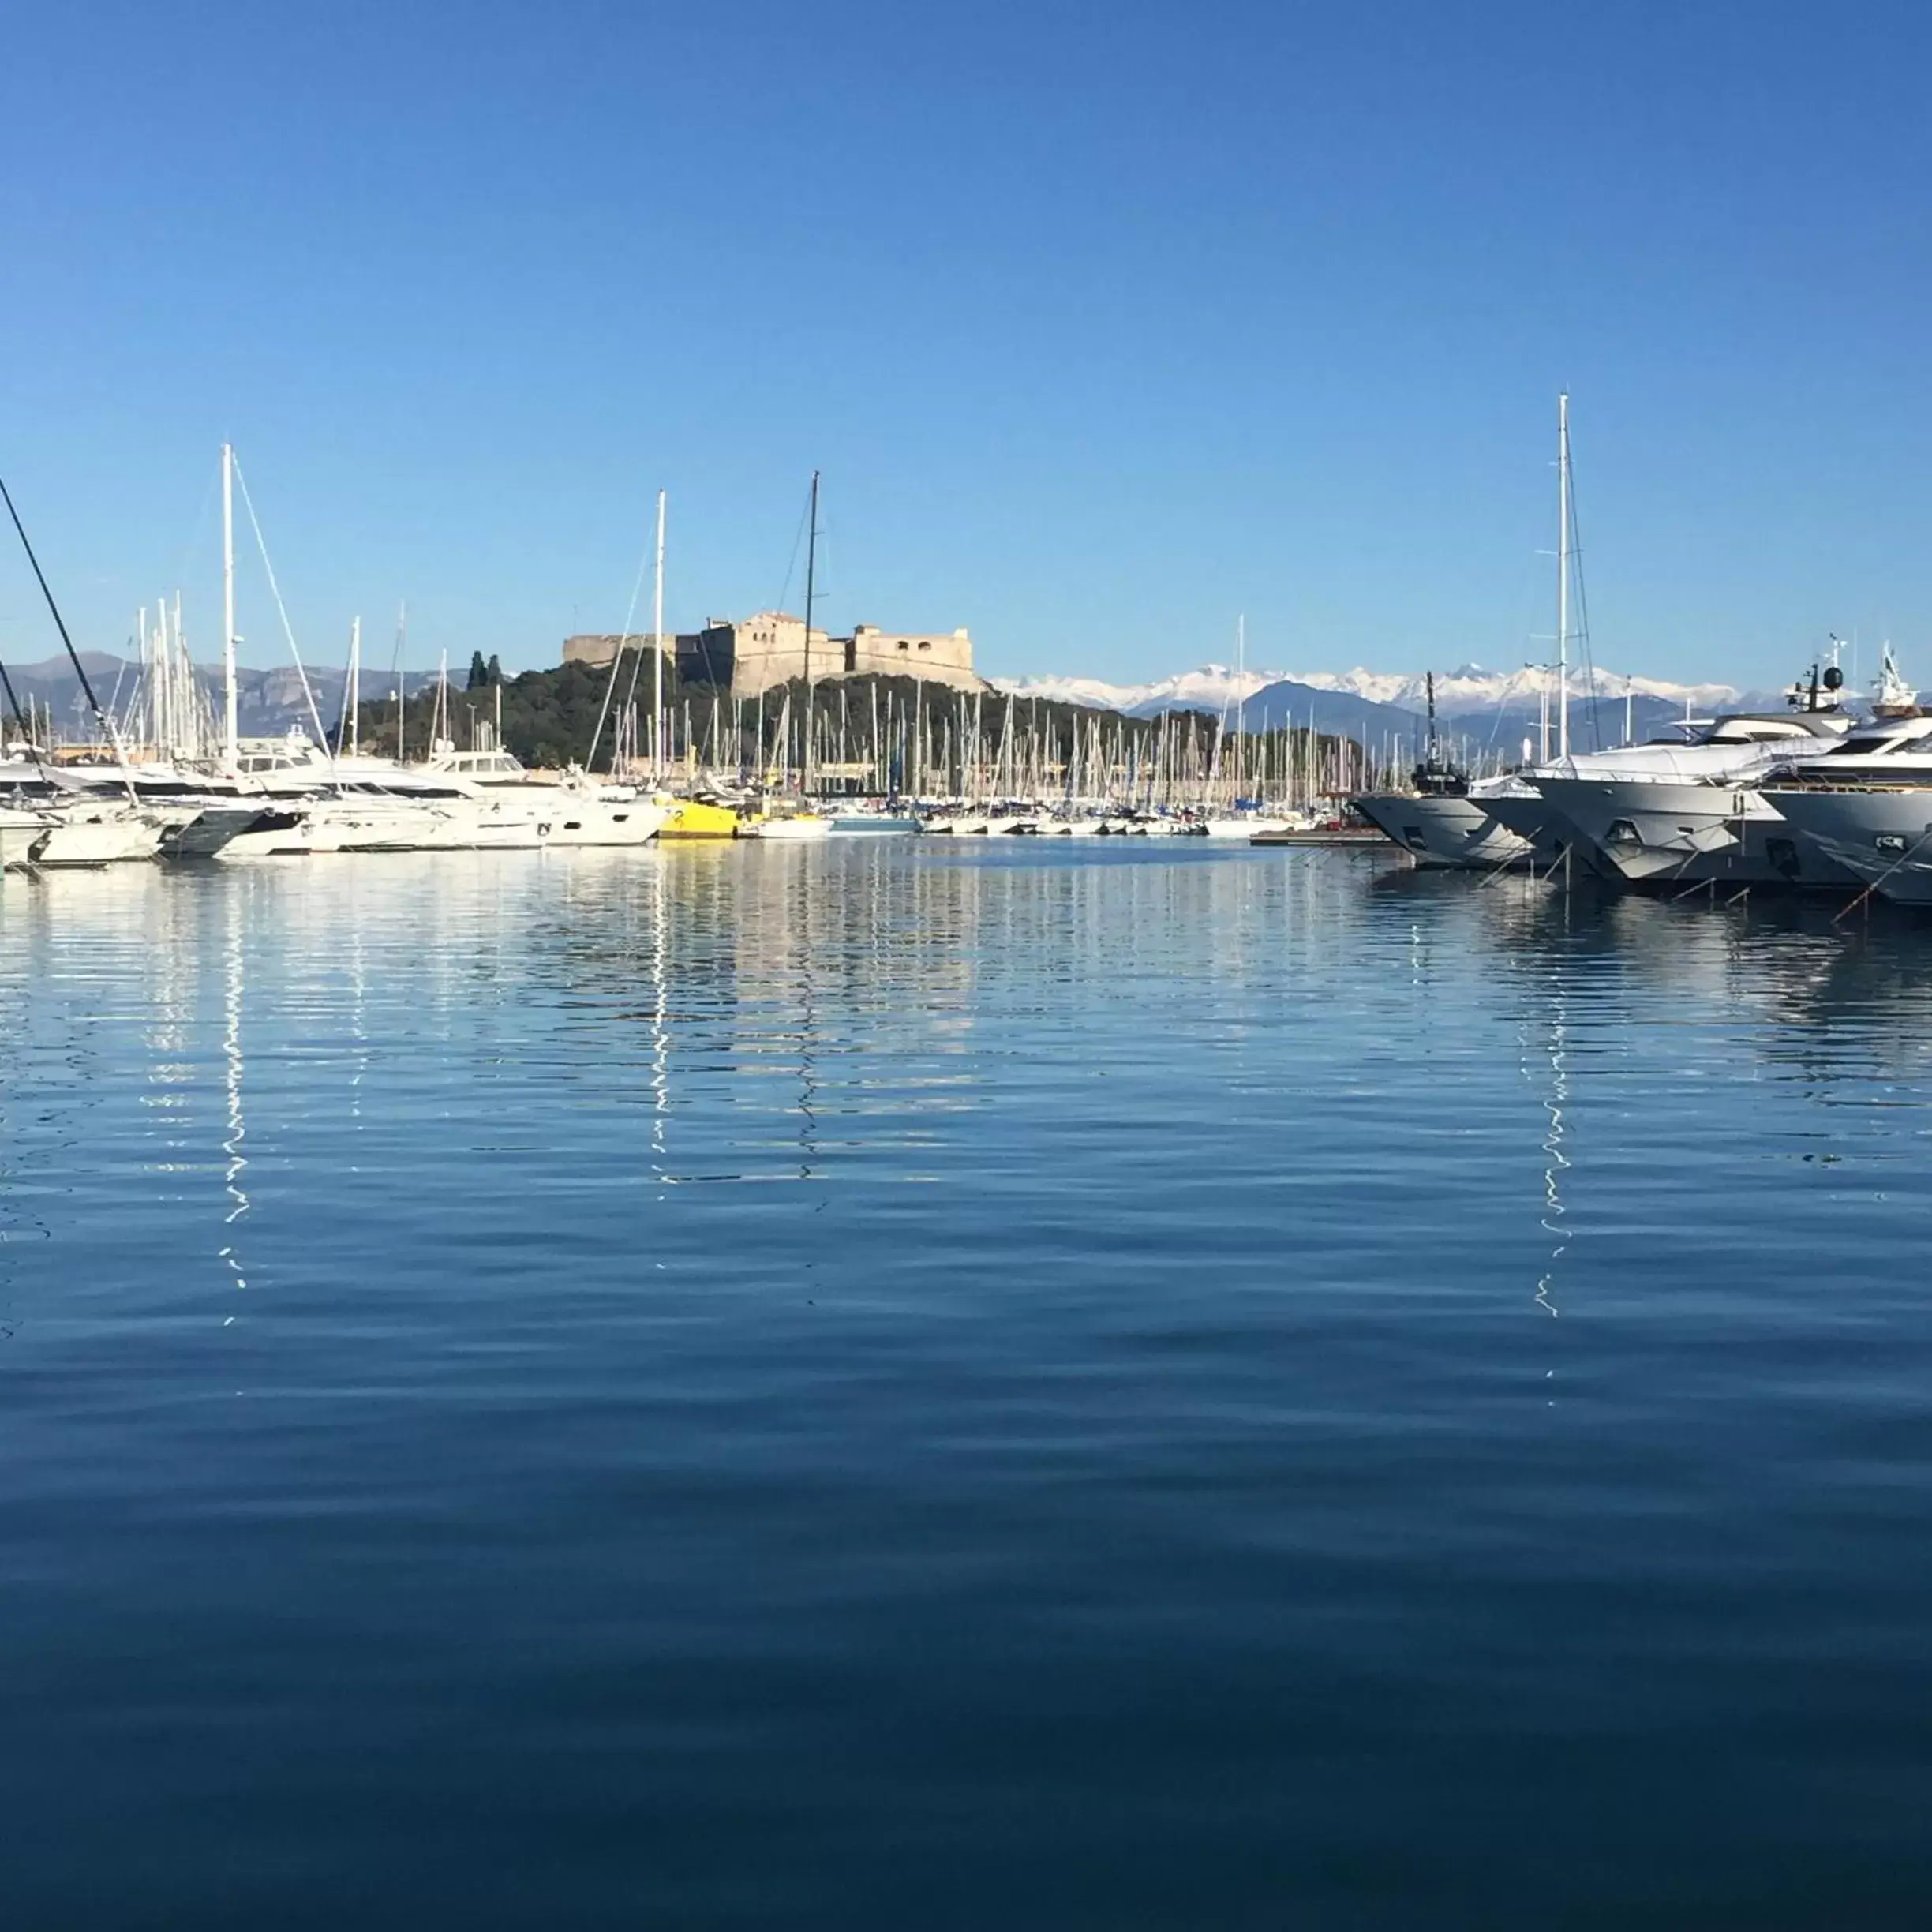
(1104,322)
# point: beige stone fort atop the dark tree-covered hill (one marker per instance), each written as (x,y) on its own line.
(754,654)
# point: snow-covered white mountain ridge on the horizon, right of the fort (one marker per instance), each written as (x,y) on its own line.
(1463,691)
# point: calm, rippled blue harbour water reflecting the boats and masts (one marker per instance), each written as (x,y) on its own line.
(977,1388)
